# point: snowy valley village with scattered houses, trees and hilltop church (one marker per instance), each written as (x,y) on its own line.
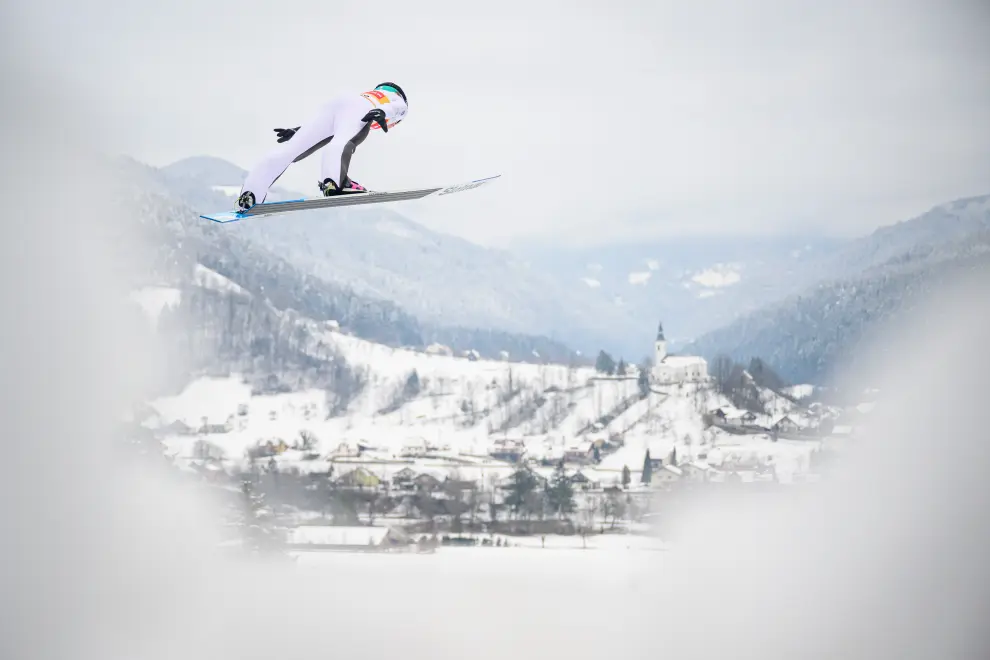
(419,478)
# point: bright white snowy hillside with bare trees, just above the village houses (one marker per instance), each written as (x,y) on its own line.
(458,411)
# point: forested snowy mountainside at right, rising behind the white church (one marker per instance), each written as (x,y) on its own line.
(857,289)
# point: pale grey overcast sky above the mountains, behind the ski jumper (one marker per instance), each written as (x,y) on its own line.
(619,118)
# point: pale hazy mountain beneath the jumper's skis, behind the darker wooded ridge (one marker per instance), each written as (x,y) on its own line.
(444,281)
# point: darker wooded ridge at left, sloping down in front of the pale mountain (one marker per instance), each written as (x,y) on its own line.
(229,330)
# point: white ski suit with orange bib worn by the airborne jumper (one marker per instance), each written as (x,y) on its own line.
(339,126)
